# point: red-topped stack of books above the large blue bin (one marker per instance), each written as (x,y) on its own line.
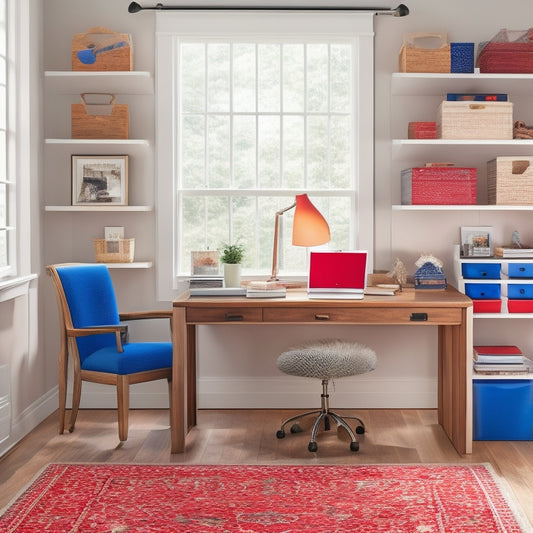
(500,360)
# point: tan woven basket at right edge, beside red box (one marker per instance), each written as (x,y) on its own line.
(510,181)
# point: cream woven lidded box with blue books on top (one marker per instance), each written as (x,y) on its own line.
(475,120)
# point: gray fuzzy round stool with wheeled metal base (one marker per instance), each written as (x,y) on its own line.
(326,359)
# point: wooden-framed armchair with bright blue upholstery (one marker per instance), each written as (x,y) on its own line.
(92,333)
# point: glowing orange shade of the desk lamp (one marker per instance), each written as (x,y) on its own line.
(309,227)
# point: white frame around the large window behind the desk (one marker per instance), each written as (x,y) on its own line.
(356,27)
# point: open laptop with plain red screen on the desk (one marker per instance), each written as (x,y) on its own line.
(337,274)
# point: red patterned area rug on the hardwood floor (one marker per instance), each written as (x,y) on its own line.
(168,498)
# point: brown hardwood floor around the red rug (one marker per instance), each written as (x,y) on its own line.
(249,437)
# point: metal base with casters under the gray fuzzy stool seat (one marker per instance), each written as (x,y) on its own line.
(324,414)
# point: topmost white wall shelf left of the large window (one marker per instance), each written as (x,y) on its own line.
(77,82)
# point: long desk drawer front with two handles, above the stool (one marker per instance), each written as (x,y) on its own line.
(364,315)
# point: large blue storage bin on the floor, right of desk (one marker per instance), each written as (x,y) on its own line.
(503,409)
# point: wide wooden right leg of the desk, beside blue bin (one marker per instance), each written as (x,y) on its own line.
(455,383)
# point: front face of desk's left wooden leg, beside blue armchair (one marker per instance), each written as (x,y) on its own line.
(178,413)
